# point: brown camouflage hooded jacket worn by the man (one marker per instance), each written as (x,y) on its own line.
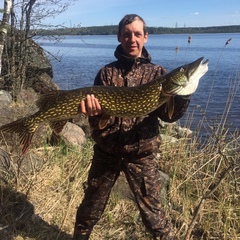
(135,135)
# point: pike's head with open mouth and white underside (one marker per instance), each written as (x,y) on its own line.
(184,80)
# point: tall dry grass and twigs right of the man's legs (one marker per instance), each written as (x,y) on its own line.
(205,187)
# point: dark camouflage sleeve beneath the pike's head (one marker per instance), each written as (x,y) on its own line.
(180,106)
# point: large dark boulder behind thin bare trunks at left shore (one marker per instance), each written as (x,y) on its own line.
(38,71)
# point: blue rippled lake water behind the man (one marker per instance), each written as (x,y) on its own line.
(218,94)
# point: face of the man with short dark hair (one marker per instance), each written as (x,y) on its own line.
(132,38)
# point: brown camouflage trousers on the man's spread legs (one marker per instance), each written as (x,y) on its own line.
(144,181)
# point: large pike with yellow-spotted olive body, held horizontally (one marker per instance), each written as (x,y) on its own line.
(126,102)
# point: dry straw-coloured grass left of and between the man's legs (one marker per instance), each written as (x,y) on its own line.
(39,198)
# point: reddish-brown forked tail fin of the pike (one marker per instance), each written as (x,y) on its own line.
(23,130)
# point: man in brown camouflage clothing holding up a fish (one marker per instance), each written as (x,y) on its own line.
(127,145)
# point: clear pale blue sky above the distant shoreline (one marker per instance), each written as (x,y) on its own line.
(157,13)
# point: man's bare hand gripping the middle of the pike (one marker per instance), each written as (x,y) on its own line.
(90,106)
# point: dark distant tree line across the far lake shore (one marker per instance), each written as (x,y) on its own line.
(112,30)
